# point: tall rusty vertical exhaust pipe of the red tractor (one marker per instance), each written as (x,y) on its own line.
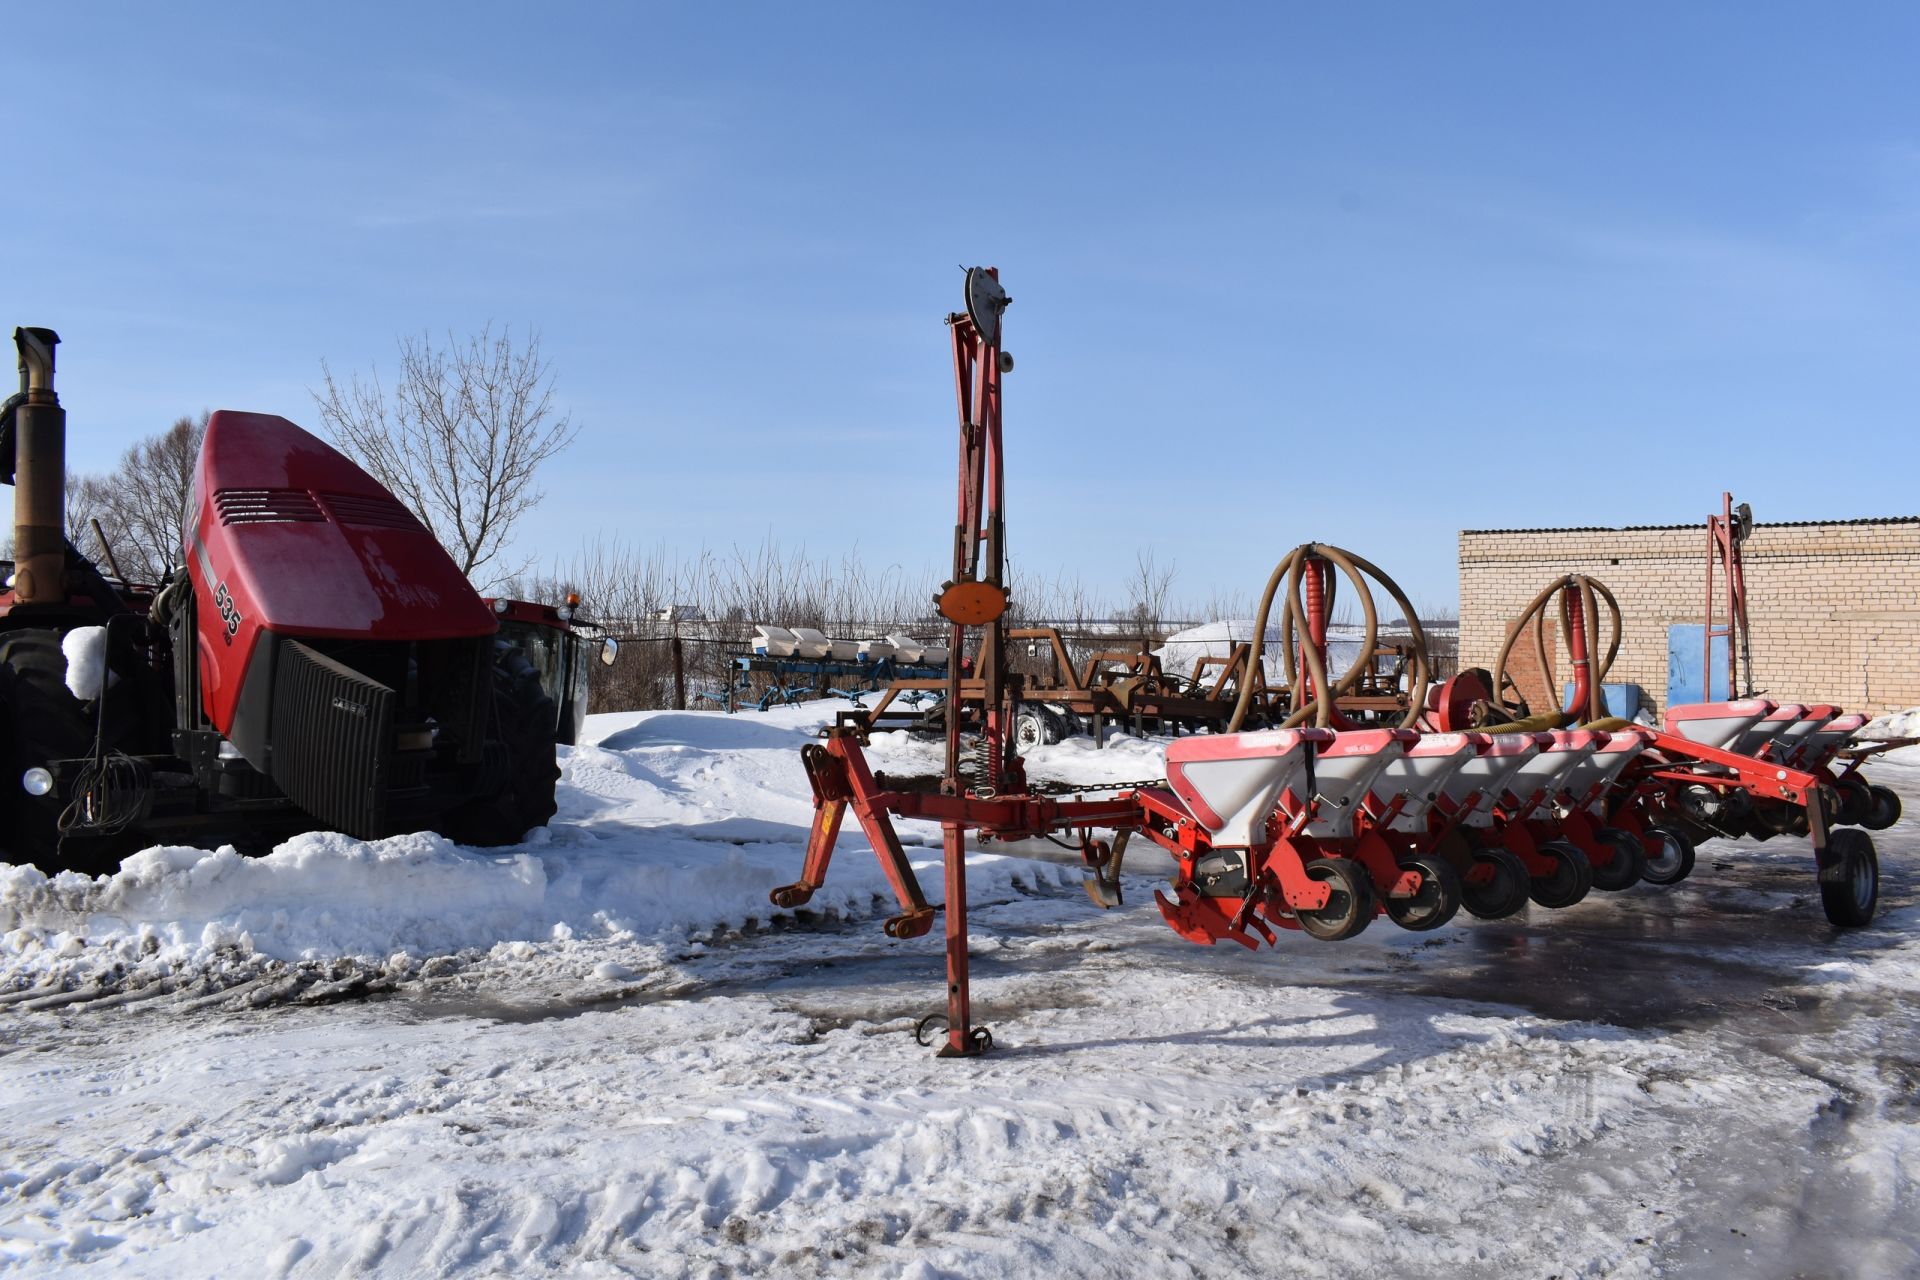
(39,475)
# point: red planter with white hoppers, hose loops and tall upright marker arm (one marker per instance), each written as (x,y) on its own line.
(1337,795)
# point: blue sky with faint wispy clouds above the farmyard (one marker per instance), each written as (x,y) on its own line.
(1351,273)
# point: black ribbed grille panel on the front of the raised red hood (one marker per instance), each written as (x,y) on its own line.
(331,740)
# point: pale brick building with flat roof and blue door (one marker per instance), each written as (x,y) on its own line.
(1835,605)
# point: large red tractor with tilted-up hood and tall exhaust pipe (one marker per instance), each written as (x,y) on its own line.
(318,665)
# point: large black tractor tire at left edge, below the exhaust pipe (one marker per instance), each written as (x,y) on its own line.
(43,721)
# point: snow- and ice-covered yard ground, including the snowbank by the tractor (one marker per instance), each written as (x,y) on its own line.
(602,1055)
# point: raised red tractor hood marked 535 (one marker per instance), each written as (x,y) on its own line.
(291,536)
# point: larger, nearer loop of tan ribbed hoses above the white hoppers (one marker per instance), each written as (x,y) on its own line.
(1307,661)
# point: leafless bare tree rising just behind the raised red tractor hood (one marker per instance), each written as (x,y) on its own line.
(460,439)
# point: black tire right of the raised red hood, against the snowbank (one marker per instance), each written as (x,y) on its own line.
(521,770)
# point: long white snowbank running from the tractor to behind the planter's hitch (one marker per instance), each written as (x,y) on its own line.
(679,824)
